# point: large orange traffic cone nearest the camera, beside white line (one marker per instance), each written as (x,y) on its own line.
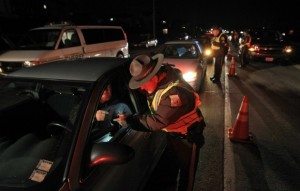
(240,130)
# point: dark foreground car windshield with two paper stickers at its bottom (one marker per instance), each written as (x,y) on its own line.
(38,124)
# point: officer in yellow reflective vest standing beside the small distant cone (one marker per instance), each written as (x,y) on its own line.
(219,47)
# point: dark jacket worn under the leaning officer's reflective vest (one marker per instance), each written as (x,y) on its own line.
(167,113)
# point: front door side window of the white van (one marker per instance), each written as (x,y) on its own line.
(69,38)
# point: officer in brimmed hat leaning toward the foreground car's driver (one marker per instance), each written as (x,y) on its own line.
(174,109)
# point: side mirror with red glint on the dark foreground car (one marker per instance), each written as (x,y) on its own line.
(110,153)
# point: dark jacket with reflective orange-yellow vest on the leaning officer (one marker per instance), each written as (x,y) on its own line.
(173,106)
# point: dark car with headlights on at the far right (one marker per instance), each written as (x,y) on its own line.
(267,46)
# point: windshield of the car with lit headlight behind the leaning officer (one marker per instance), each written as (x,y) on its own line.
(182,51)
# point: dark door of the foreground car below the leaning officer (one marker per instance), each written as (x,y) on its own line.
(148,148)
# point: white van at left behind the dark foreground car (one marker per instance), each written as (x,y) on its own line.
(57,42)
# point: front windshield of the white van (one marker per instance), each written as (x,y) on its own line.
(44,39)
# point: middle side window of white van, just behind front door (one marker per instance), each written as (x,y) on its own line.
(93,36)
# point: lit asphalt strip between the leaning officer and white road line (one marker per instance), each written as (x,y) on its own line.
(209,175)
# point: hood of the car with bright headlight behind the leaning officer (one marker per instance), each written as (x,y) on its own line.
(184,65)
